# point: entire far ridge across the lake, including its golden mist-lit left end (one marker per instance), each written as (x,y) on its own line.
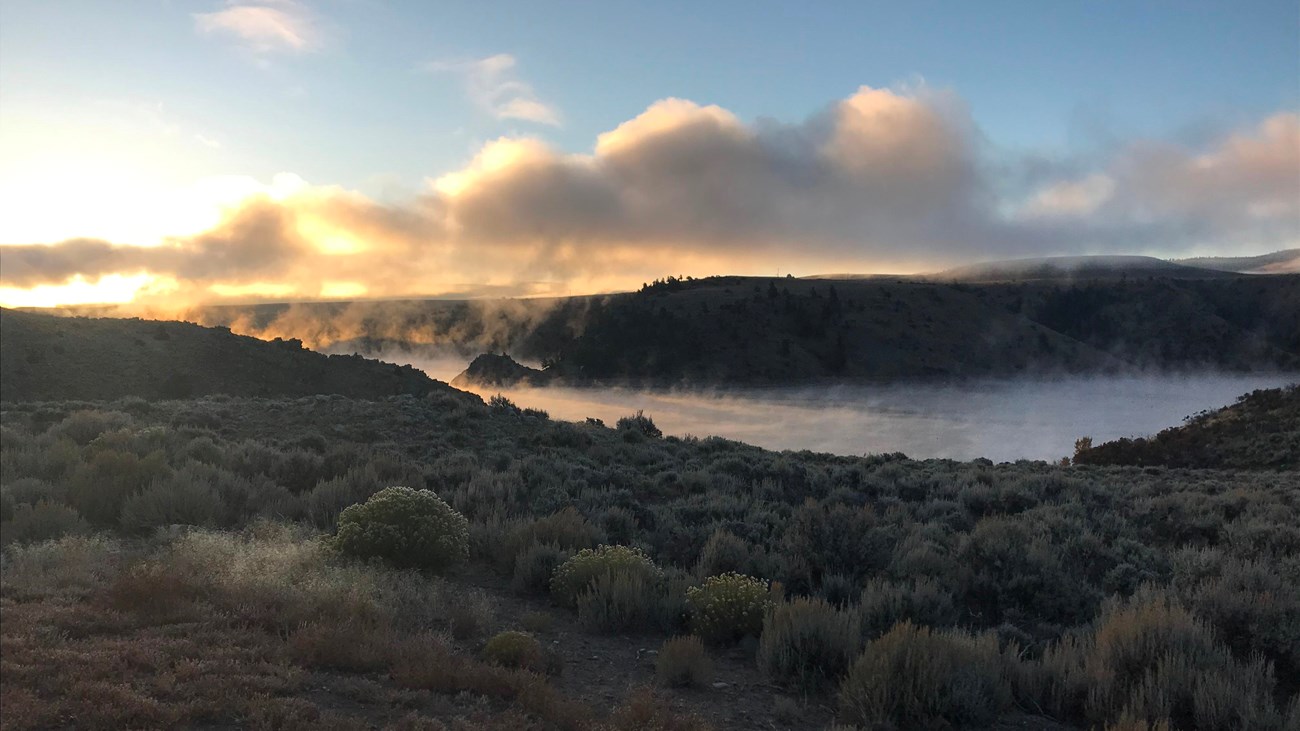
(757,331)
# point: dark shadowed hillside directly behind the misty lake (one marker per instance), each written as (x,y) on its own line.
(781,331)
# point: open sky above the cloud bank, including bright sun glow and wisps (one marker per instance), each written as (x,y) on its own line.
(144,98)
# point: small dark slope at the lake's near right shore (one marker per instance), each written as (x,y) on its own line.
(1262,431)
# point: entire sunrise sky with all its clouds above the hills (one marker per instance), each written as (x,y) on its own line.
(179,152)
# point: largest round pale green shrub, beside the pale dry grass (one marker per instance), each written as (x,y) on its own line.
(409,529)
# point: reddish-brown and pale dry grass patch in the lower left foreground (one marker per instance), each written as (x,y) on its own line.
(246,630)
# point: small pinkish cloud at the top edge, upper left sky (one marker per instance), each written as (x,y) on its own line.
(270,27)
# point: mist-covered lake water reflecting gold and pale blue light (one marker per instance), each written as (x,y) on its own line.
(999,419)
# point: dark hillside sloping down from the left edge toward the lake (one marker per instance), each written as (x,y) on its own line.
(79,358)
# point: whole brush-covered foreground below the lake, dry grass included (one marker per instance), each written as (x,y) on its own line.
(175,564)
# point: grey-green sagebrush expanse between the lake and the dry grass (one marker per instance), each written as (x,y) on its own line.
(1029,552)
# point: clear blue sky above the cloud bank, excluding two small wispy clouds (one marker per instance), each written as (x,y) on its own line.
(1047,76)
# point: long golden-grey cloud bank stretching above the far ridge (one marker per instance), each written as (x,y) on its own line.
(886,180)
